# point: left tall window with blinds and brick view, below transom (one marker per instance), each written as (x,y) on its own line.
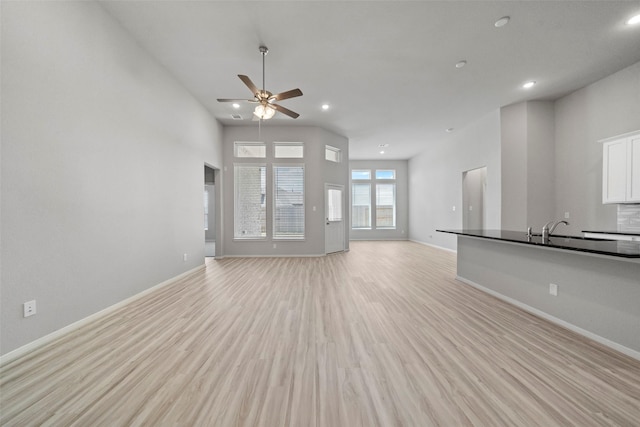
(250,220)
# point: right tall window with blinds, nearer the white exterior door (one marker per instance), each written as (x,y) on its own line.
(288,215)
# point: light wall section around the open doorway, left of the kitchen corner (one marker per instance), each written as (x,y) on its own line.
(435,180)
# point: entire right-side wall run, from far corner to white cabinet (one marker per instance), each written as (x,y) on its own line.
(546,161)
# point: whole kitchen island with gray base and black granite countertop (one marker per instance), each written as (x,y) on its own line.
(591,286)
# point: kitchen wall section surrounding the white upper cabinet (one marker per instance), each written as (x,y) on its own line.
(608,107)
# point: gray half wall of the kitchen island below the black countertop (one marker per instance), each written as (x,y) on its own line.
(595,293)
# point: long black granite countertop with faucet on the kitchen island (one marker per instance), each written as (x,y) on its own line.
(616,248)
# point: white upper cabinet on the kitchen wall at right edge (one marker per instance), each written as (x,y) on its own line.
(621,168)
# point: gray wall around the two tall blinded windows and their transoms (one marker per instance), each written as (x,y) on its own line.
(318,171)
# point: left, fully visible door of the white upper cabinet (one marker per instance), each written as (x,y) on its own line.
(614,171)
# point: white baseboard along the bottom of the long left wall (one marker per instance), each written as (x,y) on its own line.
(27,348)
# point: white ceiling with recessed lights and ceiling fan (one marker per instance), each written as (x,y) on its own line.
(387,68)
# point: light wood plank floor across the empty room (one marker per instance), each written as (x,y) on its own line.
(380,336)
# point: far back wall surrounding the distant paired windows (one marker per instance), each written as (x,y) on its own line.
(402,200)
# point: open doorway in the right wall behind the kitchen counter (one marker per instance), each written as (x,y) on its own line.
(474,185)
